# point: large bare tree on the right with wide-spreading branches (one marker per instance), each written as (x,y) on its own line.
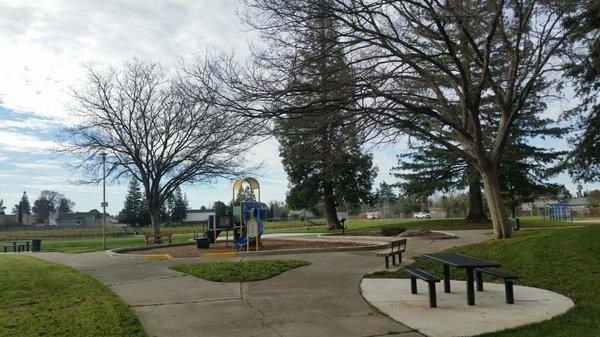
(456,72)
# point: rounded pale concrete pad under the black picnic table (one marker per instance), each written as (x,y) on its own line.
(453,317)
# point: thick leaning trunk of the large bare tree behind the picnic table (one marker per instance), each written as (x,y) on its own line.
(500,221)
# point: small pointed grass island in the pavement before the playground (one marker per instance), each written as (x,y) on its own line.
(245,271)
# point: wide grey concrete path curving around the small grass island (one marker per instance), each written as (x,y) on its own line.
(322,299)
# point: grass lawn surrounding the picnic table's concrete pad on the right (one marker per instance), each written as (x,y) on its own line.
(565,261)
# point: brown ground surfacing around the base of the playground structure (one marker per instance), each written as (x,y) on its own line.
(267,244)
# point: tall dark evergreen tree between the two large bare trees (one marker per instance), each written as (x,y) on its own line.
(322,152)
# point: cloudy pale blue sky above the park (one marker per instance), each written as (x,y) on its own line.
(45,49)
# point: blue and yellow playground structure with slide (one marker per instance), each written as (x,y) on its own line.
(246,219)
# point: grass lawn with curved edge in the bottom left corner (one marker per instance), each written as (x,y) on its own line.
(39,298)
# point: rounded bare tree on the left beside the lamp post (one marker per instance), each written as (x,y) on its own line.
(155,130)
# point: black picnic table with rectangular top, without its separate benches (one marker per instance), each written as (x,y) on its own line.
(461,261)
